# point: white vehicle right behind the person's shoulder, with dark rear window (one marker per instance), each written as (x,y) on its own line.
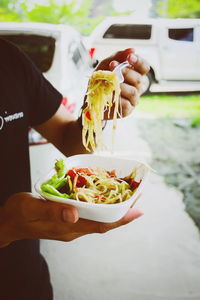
(58,51)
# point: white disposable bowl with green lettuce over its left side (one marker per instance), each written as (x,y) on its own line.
(100,212)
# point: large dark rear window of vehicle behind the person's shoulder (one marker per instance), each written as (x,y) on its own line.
(40,49)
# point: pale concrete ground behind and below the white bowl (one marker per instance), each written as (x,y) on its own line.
(156,257)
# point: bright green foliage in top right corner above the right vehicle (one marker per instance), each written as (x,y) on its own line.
(179,8)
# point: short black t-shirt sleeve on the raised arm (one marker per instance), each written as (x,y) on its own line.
(43,99)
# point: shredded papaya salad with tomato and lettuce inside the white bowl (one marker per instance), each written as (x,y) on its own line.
(93,185)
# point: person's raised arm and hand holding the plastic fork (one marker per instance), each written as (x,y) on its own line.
(65,132)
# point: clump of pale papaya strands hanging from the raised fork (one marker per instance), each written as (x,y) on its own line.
(103,94)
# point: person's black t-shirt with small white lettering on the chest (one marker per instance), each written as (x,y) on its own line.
(26,99)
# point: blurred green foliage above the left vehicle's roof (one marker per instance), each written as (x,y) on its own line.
(74,13)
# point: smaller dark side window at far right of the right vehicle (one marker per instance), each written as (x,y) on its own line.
(181,34)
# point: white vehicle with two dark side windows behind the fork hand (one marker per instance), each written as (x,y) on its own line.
(171,46)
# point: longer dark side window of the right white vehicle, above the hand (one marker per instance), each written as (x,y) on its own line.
(128,31)
